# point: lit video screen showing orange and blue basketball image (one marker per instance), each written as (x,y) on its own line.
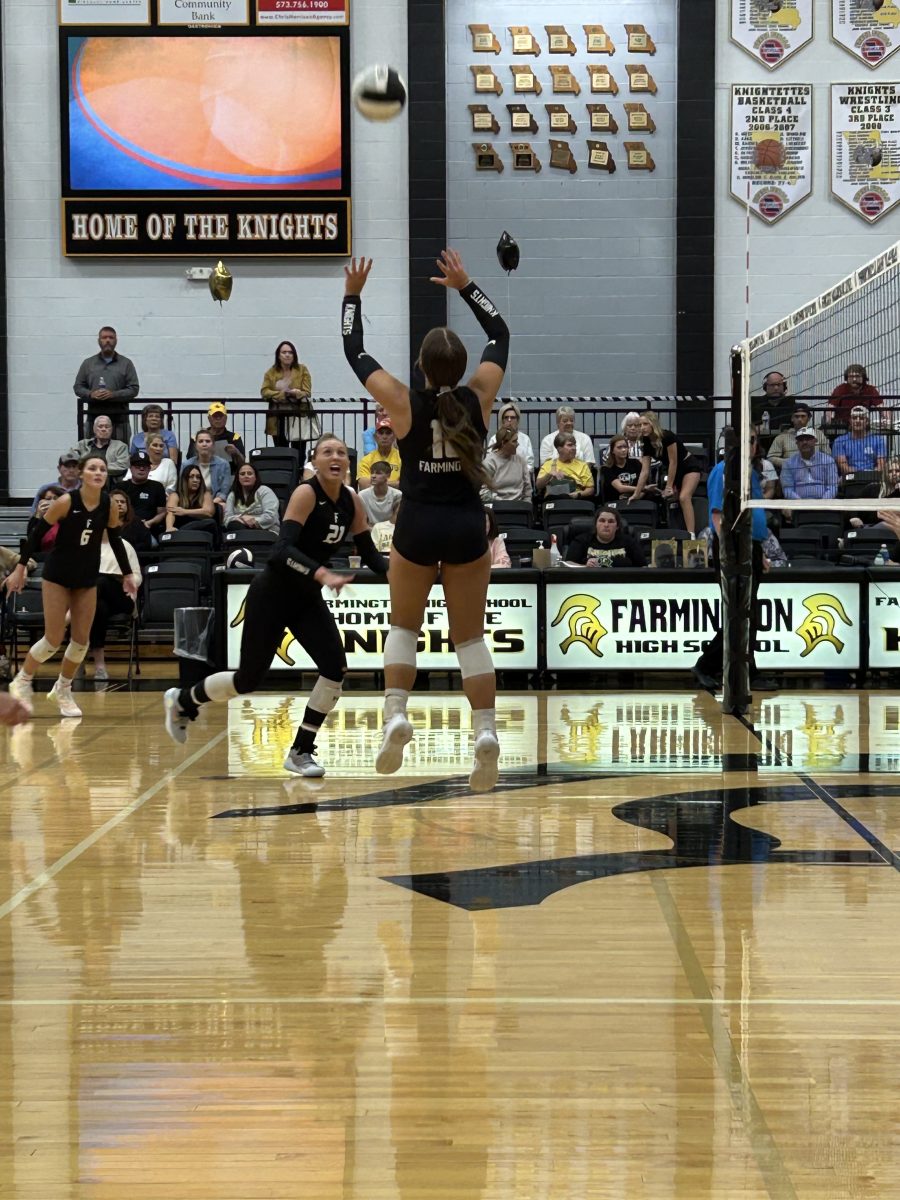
(189,113)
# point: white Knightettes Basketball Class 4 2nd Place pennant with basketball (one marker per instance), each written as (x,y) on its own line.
(772,147)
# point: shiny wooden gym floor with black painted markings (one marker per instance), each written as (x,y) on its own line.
(662,961)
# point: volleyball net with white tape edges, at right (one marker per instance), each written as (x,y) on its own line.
(856,461)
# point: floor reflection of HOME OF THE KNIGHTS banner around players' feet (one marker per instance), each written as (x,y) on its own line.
(261,730)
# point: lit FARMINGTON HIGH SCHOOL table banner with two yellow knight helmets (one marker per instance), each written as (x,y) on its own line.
(646,627)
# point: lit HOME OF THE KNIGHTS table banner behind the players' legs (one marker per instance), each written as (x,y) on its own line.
(363,616)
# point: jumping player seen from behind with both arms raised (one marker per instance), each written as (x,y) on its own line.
(441,434)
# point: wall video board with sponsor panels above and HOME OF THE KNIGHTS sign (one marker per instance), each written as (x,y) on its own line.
(205,128)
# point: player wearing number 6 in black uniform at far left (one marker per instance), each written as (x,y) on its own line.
(69,585)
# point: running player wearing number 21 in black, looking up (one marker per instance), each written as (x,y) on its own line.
(289,595)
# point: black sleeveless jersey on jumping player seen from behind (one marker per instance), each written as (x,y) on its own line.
(430,470)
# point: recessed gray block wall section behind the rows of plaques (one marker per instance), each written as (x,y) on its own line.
(592,307)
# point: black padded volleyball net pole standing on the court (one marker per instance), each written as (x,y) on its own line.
(736,557)
